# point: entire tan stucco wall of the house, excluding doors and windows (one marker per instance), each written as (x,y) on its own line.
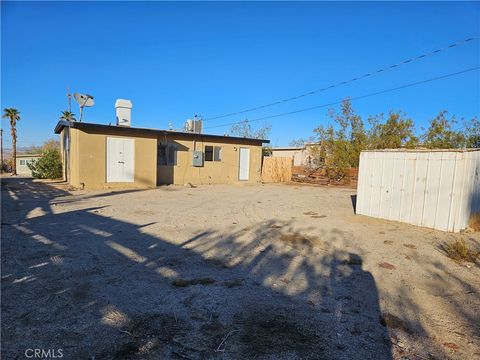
(87,161)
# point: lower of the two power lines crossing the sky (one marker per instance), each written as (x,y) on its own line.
(352,98)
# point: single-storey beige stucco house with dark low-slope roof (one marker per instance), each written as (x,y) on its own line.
(105,156)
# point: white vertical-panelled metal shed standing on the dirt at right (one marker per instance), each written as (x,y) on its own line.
(437,189)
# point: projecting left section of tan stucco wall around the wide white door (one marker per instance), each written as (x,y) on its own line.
(88,160)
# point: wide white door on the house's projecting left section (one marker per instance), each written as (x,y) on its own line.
(120,159)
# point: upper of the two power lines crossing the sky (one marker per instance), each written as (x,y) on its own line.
(372,73)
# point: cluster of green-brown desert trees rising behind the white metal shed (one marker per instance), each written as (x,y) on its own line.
(339,144)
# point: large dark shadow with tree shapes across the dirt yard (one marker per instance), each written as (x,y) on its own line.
(98,287)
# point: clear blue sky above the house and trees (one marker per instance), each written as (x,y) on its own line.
(177,59)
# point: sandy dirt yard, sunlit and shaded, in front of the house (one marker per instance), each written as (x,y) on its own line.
(230,272)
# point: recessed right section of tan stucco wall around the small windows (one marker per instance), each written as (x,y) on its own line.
(212,172)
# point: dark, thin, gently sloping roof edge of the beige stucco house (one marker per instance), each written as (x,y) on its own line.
(136,130)
